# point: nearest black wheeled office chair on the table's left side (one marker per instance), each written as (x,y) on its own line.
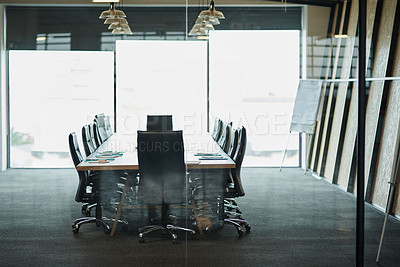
(83,195)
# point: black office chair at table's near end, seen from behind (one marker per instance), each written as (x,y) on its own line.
(162,176)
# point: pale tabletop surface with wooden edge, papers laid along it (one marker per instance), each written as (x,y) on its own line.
(129,161)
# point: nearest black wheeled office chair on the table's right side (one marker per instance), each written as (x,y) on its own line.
(233,214)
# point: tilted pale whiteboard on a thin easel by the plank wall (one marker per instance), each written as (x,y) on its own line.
(306,106)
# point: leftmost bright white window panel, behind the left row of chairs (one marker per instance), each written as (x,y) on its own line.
(53,93)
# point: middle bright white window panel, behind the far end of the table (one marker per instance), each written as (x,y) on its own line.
(162,77)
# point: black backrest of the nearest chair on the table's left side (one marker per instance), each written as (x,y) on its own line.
(77,158)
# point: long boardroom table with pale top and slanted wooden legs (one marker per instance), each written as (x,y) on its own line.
(128,160)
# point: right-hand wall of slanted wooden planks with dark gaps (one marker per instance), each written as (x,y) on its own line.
(333,147)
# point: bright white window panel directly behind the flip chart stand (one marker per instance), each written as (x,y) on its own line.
(253,82)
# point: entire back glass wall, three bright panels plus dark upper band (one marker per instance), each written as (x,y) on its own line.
(165,75)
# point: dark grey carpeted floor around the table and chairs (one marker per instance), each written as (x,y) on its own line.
(296,220)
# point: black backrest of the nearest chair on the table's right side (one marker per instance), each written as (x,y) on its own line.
(238,158)
